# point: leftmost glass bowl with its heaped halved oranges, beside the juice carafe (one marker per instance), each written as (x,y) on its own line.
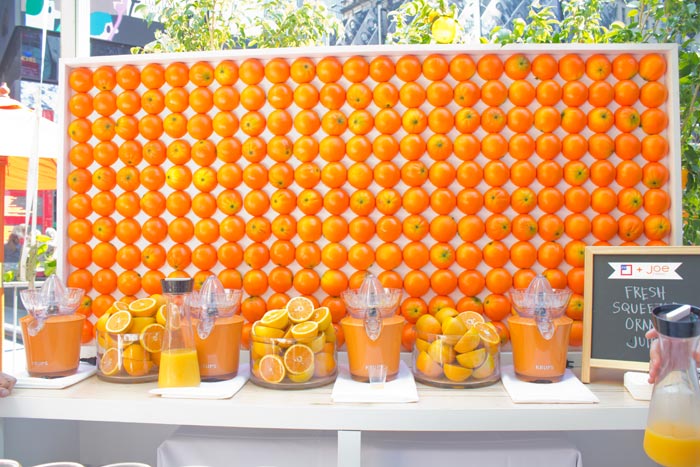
(129,338)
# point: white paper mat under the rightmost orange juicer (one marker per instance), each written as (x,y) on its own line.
(570,390)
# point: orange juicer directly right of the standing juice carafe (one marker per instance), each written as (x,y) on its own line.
(217,330)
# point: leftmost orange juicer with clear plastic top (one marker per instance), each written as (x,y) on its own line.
(52,331)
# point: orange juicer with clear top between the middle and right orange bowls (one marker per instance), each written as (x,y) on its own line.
(373,330)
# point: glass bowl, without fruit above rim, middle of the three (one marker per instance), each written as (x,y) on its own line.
(288,363)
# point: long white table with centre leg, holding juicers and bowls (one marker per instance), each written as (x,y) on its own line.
(488,409)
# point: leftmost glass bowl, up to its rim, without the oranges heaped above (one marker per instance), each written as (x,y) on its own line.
(121,358)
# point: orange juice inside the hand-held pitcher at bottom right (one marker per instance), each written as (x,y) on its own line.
(673,445)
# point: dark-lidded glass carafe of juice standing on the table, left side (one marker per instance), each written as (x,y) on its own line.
(179,366)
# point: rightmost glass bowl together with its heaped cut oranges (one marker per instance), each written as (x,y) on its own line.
(456,350)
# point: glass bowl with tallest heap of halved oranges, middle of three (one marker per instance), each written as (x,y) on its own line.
(294,347)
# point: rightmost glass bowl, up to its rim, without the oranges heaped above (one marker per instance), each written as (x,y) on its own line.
(448,361)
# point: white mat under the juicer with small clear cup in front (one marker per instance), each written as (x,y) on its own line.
(402,389)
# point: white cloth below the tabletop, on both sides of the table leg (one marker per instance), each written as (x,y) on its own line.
(220,447)
